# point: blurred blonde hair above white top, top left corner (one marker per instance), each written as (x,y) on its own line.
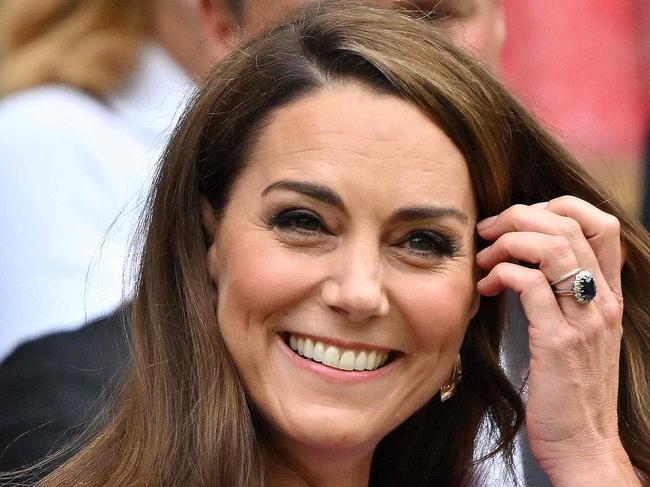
(91,45)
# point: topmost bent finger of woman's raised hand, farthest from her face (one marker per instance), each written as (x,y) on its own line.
(602,231)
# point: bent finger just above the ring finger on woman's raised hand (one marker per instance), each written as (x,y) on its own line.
(523,218)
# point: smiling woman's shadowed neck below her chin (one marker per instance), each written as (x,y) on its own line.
(303,466)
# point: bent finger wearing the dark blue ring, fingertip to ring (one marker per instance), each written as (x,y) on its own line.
(553,254)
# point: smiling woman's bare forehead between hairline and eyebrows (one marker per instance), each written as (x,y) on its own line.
(367,146)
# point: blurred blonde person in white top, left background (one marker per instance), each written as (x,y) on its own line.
(90,91)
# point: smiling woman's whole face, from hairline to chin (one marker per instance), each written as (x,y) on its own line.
(349,237)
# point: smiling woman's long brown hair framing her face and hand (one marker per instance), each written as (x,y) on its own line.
(184,418)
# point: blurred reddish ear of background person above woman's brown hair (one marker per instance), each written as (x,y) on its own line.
(219,26)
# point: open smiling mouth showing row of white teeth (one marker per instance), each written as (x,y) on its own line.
(337,357)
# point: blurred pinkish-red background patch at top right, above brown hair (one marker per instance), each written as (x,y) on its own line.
(583,67)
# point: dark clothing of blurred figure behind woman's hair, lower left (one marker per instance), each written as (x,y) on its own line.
(53,388)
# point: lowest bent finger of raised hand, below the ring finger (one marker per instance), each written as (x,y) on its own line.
(536,296)
